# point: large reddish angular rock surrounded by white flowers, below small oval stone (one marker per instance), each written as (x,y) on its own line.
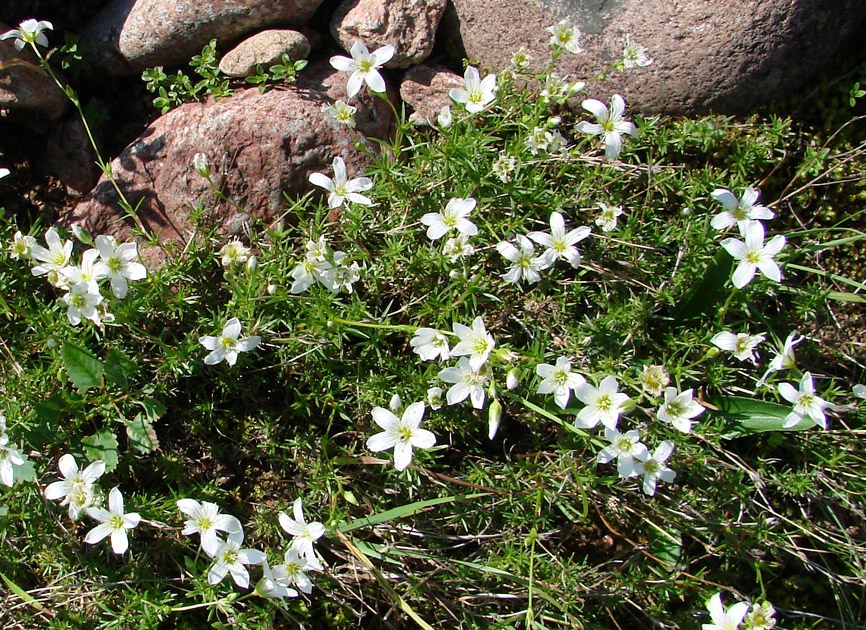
(258,146)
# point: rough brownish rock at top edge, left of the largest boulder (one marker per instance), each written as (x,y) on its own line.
(408,25)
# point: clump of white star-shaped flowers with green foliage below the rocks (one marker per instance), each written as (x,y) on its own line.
(588,431)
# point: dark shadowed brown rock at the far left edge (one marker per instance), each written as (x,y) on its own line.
(26,88)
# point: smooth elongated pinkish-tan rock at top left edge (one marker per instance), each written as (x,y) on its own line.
(131,35)
